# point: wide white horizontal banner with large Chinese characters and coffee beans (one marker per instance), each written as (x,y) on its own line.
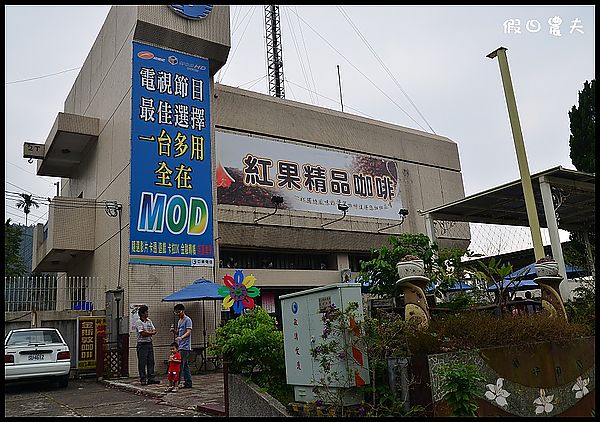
(251,170)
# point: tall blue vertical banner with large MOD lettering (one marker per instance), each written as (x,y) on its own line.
(171,177)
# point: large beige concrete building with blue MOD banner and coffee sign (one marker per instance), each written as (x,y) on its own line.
(299,241)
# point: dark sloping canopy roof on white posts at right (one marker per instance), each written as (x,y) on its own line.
(505,204)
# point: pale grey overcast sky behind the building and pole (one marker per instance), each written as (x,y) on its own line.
(442,81)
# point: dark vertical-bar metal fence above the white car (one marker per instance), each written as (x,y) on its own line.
(53,293)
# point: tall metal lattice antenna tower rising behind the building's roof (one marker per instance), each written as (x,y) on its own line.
(274,53)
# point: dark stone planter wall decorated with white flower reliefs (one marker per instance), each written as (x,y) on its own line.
(511,390)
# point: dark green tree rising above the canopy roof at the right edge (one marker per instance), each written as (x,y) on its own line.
(583,129)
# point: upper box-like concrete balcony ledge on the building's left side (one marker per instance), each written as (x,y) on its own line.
(67,144)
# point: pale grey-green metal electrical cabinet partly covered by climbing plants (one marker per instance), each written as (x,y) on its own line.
(303,330)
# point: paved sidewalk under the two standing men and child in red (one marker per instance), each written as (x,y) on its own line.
(206,396)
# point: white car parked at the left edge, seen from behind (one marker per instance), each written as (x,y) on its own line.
(35,353)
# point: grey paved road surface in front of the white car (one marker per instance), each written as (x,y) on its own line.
(84,397)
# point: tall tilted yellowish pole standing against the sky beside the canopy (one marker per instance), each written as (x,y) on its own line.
(534,224)
